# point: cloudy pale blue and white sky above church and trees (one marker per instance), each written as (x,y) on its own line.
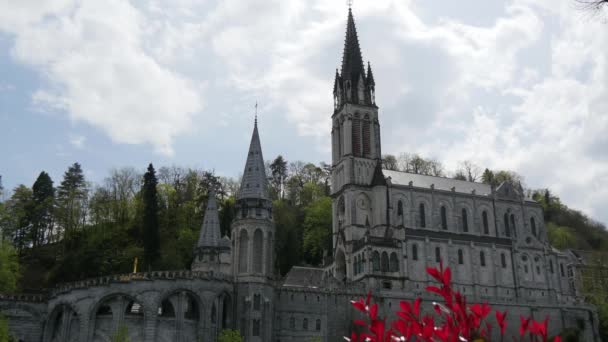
(518,85)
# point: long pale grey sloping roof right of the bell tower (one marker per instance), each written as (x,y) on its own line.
(440,183)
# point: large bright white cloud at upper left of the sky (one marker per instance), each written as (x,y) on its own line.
(94,58)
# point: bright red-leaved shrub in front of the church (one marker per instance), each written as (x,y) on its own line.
(454,319)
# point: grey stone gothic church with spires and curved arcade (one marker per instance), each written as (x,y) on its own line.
(388,226)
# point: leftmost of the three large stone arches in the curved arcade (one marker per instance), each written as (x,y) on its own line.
(63,324)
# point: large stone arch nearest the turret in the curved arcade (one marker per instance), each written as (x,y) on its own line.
(186,322)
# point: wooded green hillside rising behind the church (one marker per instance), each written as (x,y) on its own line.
(75,229)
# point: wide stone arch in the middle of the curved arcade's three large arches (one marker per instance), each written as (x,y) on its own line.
(112,311)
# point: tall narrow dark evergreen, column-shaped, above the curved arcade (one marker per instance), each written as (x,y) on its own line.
(151,235)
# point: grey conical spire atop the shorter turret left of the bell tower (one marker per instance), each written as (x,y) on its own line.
(254,182)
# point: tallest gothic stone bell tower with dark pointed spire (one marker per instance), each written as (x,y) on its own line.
(358,201)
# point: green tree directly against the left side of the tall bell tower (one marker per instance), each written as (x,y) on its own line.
(317,230)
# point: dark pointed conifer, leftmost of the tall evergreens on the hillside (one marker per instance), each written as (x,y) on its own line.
(43,195)
